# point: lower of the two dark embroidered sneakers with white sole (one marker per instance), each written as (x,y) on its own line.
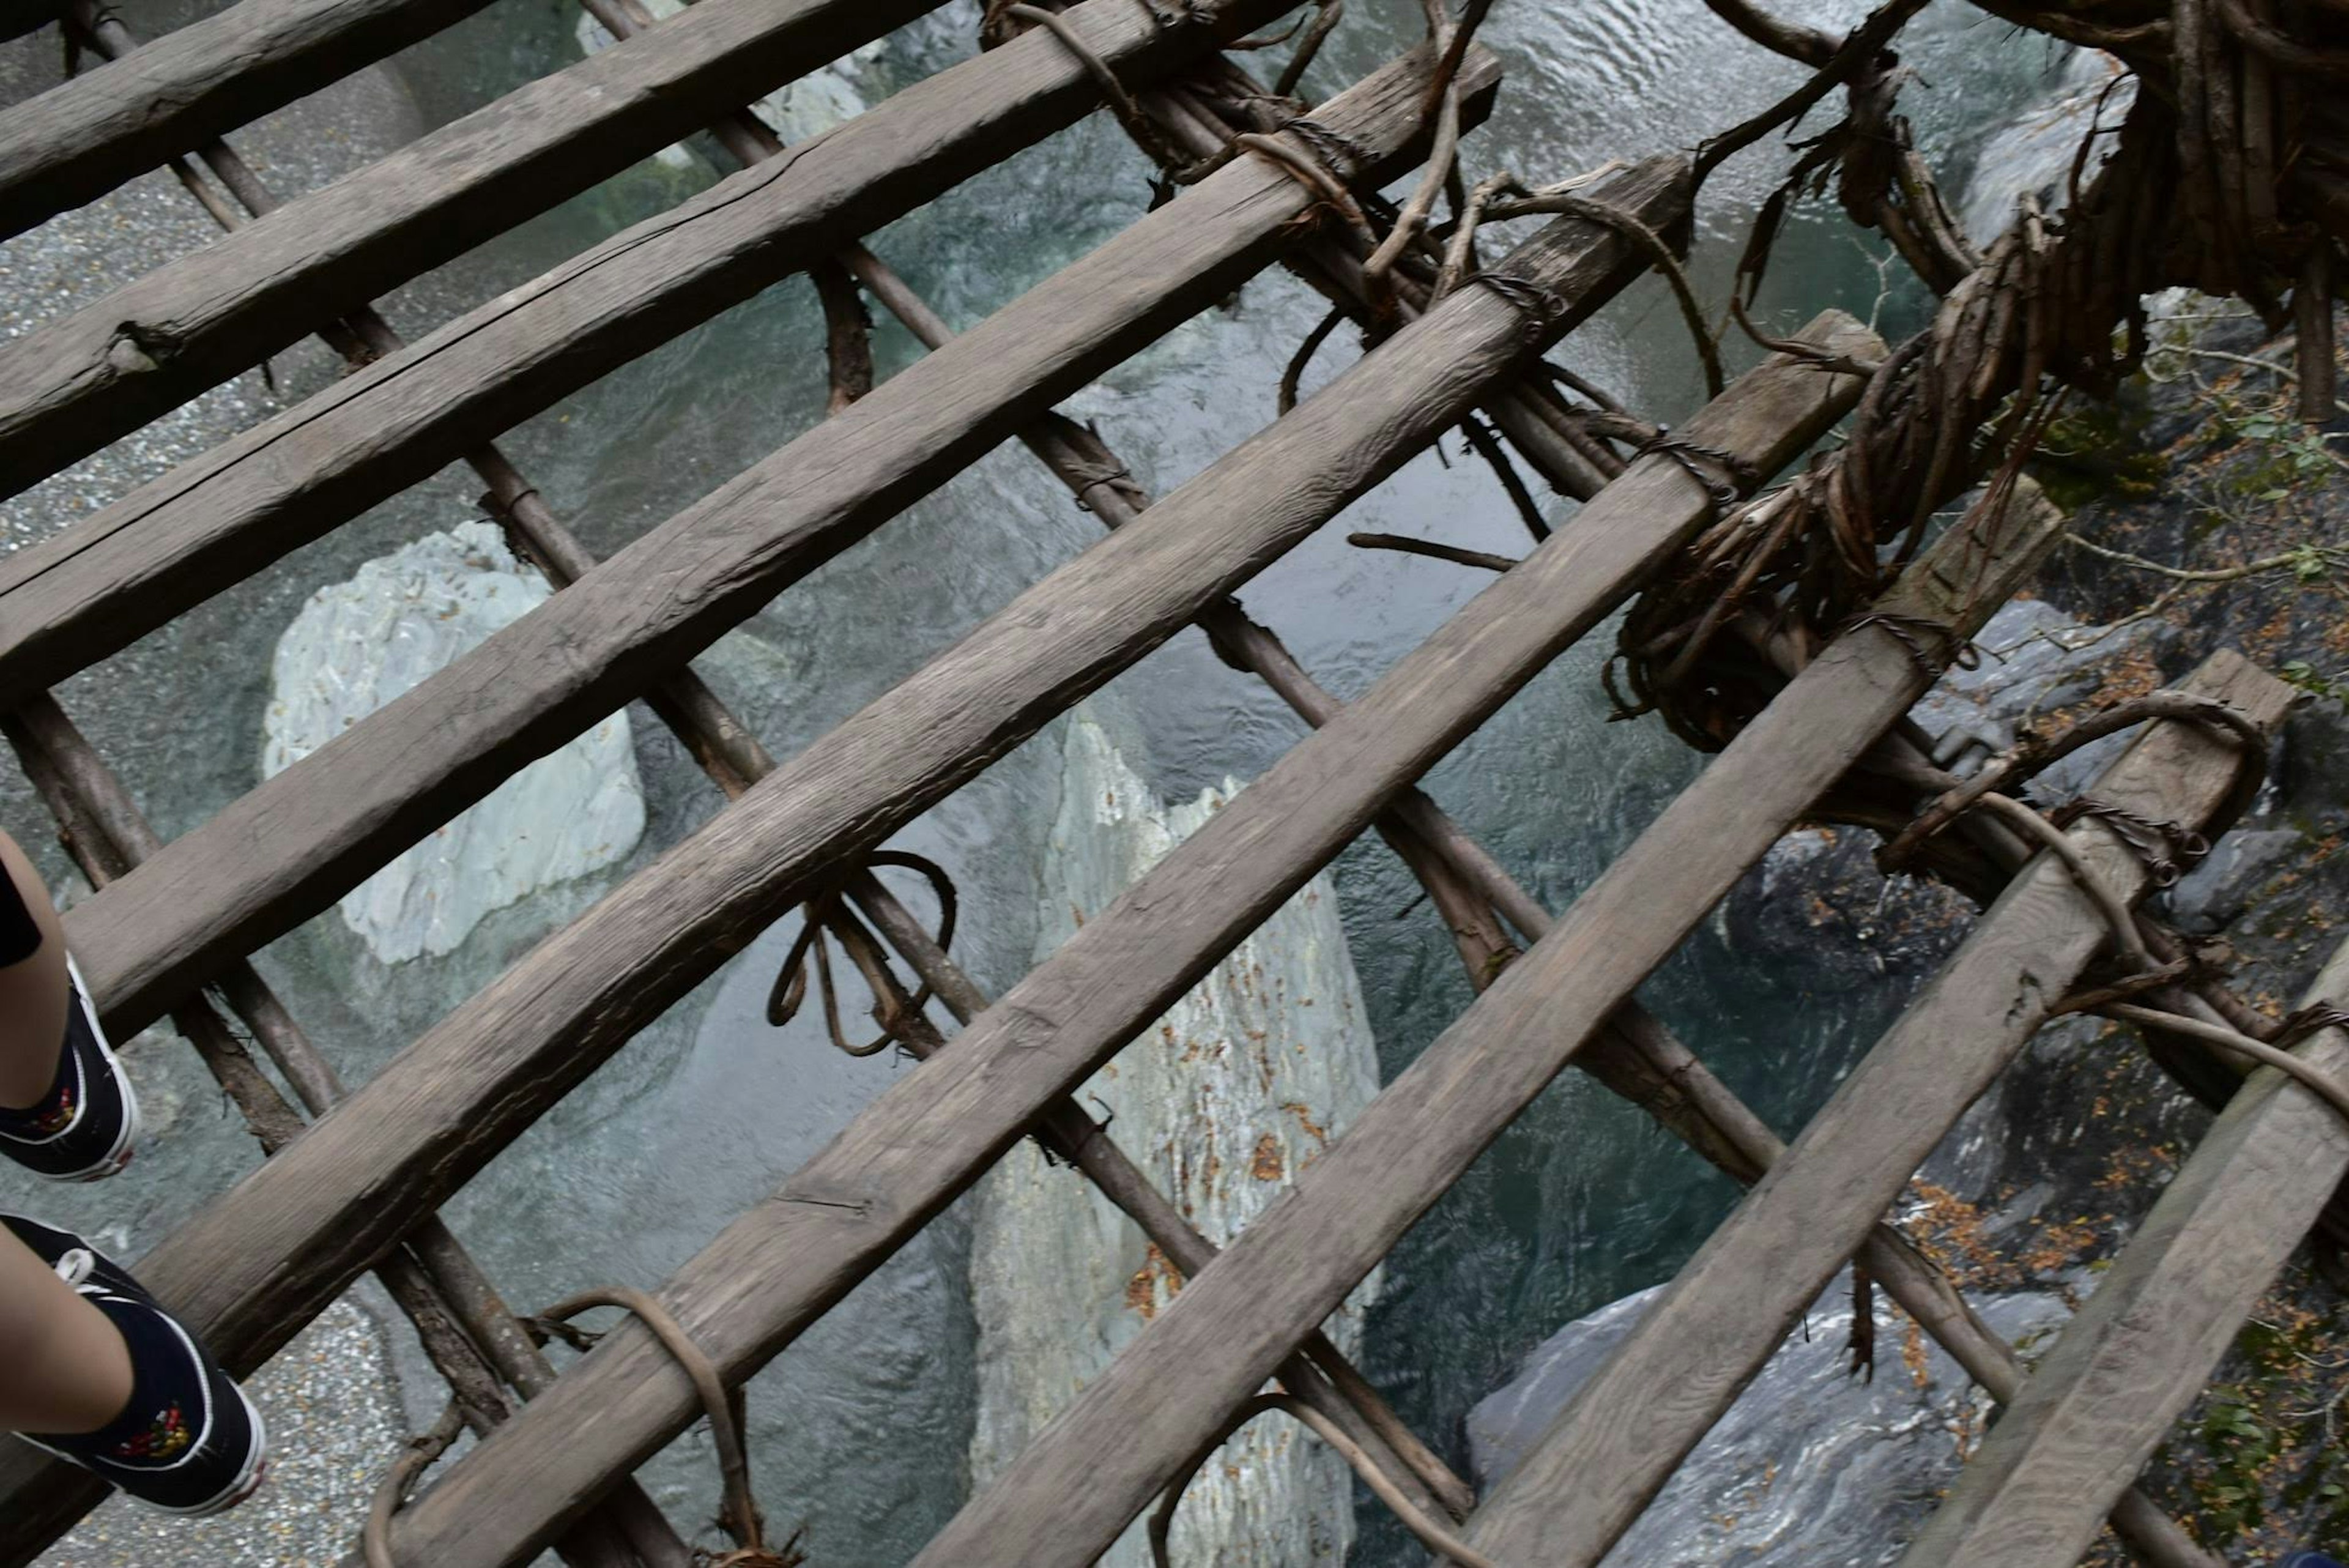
(189,1442)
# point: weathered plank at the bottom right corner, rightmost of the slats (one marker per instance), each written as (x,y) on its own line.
(2158,1325)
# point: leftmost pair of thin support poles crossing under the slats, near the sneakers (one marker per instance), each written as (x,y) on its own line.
(462,1322)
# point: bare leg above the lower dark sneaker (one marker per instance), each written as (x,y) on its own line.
(65,1365)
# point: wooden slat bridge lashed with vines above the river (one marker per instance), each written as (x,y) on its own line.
(356,1174)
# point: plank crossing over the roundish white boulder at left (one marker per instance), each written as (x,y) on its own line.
(304,838)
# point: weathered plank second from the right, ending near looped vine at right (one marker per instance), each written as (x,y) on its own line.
(1718,1325)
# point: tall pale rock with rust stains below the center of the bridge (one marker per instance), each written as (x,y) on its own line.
(1234,1092)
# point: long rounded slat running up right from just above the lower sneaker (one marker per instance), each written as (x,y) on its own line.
(271,1252)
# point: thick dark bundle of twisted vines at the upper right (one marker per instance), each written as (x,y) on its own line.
(1939,413)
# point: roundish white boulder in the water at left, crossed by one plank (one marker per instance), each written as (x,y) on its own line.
(356,648)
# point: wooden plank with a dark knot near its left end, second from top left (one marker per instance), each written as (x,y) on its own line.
(152,344)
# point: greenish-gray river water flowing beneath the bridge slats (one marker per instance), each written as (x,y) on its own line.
(863,1428)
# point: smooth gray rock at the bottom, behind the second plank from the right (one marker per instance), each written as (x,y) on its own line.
(1812,1468)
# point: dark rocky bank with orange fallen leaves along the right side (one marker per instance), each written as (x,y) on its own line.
(2200,467)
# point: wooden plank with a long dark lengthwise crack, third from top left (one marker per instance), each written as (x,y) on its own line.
(126,570)
